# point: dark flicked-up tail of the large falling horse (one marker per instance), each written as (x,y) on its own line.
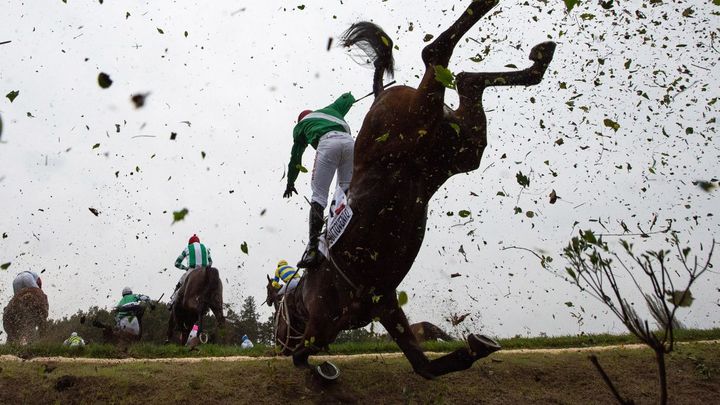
(377,45)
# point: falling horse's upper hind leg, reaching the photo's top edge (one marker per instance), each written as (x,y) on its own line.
(430,91)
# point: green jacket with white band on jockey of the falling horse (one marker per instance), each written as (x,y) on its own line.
(313,126)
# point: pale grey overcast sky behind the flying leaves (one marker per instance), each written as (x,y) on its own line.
(229,77)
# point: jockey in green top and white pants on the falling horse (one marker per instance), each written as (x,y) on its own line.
(328,133)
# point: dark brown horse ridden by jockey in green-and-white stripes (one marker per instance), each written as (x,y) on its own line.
(202,291)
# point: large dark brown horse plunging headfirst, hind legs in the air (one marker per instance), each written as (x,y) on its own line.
(410,143)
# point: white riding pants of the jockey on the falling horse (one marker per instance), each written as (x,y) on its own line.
(334,153)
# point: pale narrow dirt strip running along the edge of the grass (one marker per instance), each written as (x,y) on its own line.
(88,360)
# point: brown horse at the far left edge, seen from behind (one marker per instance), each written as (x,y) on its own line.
(25,316)
